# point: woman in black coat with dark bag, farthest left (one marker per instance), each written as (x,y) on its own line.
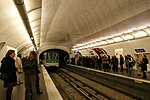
(8,67)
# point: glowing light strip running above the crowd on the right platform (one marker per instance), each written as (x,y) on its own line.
(116,38)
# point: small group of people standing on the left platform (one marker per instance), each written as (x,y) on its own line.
(14,68)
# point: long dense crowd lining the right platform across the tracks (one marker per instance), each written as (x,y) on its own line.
(107,63)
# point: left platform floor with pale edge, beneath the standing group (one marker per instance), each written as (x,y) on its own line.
(47,86)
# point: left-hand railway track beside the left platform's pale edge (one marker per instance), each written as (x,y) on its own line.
(67,91)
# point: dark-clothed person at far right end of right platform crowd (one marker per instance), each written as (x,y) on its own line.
(144,63)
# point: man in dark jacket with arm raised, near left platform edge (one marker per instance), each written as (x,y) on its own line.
(30,69)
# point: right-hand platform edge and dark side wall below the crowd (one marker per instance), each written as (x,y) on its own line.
(135,86)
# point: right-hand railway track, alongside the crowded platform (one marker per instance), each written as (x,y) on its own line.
(89,90)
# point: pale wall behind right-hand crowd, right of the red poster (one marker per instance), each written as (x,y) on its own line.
(129,48)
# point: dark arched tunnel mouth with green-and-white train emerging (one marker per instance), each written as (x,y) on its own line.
(54,58)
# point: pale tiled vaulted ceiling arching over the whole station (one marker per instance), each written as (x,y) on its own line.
(69,22)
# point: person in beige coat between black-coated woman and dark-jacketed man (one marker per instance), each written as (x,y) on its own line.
(19,69)
